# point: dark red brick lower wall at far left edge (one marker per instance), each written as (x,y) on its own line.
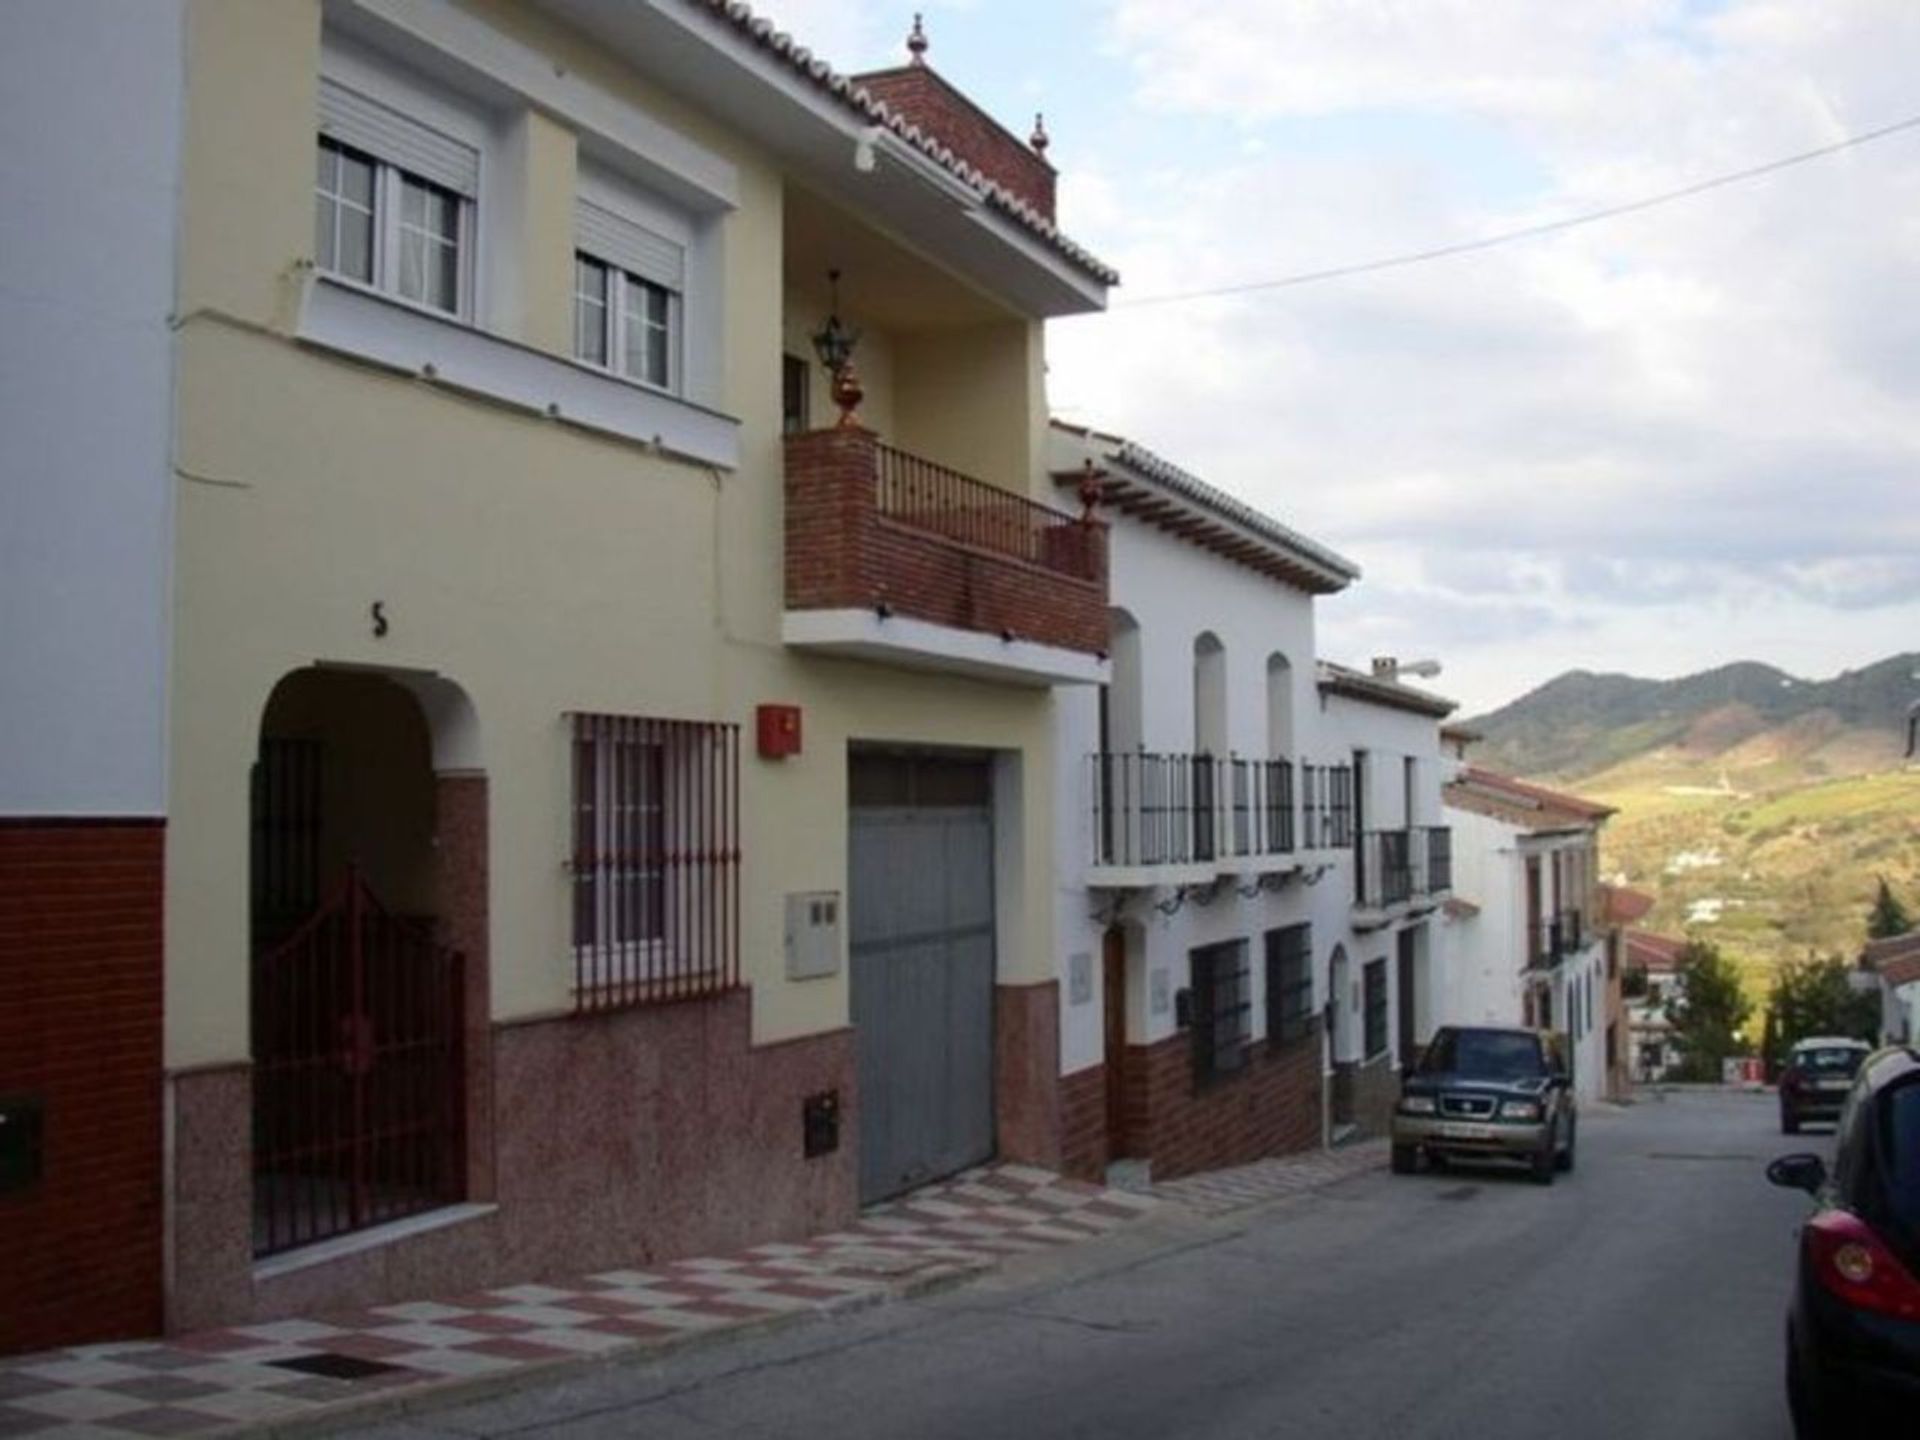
(82,1028)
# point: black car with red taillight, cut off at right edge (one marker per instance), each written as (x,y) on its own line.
(1854,1330)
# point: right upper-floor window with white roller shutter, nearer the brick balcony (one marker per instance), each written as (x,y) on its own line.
(631,274)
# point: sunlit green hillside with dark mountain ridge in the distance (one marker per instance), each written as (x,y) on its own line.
(1756,807)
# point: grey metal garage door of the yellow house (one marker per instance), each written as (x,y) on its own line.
(921,930)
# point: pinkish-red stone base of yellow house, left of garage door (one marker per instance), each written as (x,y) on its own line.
(621,1140)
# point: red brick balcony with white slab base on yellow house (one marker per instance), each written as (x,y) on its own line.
(903,562)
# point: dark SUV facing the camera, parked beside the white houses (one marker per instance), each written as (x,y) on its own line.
(1489,1093)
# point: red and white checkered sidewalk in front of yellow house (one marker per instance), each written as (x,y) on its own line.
(295,1370)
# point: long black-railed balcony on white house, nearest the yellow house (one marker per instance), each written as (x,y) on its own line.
(1189,819)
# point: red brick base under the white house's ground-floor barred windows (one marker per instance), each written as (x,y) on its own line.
(1270,1109)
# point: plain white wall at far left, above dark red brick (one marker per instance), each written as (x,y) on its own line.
(91,97)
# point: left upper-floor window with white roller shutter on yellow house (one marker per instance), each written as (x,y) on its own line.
(395,203)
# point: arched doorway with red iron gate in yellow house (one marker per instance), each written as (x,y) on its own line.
(368,951)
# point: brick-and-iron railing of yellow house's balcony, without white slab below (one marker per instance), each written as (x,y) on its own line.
(876,529)
